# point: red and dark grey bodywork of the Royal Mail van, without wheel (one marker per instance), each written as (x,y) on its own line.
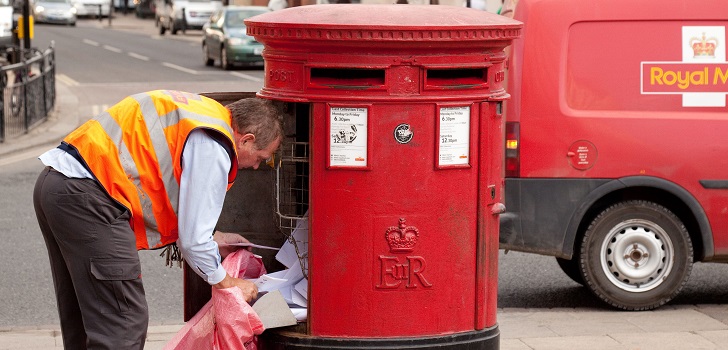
(632,85)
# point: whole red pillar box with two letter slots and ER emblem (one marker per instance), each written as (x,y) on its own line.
(400,106)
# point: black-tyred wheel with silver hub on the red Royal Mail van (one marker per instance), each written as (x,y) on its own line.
(636,255)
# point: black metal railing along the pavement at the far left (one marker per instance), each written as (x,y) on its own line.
(28,91)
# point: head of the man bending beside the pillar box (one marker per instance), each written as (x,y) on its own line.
(258,130)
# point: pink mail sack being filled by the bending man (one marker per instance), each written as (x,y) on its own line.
(226,322)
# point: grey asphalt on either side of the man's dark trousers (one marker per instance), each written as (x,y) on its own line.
(26,291)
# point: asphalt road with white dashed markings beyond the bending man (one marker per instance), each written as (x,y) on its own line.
(101,65)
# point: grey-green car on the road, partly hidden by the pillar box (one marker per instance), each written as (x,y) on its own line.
(224,38)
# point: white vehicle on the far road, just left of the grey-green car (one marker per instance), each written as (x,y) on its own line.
(176,15)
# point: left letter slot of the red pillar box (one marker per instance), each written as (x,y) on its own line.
(347,78)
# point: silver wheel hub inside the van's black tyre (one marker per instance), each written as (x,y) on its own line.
(637,255)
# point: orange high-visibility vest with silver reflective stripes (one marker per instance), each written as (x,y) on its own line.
(134,150)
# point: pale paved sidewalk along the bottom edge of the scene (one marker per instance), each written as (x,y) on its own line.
(679,328)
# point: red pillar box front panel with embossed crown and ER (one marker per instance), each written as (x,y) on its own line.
(393,244)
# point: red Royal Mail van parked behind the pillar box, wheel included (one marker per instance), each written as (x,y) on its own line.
(617,142)
